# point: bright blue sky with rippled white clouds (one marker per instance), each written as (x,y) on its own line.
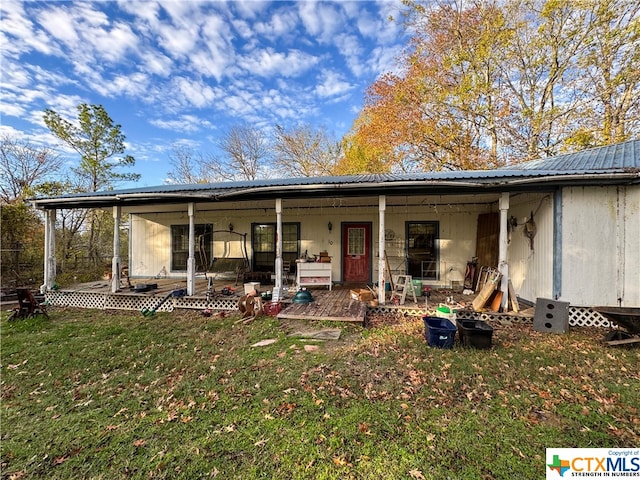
(184,72)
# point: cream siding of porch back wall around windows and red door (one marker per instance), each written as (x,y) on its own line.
(151,235)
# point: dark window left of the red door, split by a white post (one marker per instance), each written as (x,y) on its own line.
(263,243)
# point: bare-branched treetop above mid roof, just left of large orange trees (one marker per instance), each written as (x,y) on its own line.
(305,152)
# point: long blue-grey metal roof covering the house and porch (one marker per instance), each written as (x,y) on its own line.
(611,164)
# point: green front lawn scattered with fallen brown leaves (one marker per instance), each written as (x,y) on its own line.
(114,395)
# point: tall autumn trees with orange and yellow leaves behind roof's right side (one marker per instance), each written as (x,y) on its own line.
(482,83)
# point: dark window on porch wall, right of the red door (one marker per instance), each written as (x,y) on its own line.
(422,250)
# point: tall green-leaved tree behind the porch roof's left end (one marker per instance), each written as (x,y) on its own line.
(99,142)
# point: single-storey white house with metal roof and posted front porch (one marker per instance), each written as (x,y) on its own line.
(564,227)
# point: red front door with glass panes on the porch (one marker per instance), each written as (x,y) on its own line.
(356,252)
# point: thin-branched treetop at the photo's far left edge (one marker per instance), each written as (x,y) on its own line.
(23,167)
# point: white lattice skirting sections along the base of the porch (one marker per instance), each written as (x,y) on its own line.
(578,316)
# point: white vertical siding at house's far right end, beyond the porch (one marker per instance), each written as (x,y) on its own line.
(601,249)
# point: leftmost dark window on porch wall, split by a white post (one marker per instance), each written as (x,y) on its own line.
(180,246)
